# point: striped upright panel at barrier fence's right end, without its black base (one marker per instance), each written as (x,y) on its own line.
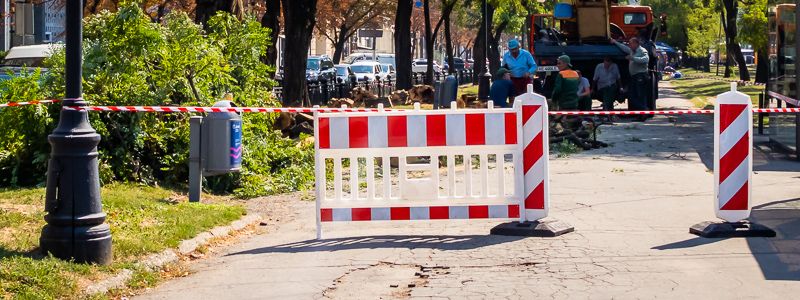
(534,124)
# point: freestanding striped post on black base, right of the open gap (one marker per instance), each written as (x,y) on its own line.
(733,168)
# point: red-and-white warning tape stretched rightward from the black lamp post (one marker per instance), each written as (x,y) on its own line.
(197,109)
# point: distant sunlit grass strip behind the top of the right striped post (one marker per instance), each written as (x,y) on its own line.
(702,91)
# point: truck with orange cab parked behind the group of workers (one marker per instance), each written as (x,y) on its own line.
(581,29)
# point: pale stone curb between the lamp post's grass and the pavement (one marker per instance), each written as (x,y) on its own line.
(156,261)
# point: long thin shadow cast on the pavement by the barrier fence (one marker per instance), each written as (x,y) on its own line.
(439,242)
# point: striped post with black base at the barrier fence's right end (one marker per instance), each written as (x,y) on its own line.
(532,116)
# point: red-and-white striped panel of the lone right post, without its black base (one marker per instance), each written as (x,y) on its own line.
(733,144)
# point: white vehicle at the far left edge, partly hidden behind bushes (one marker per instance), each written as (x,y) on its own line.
(26,58)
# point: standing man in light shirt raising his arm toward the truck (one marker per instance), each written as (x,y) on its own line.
(638,62)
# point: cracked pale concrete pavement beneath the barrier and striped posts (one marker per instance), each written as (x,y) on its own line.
(631,205)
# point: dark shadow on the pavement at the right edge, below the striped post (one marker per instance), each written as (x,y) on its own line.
(778,257)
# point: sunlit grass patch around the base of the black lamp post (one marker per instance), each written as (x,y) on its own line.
(143,220)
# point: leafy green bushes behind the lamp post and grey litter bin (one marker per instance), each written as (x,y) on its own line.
(128,60)
